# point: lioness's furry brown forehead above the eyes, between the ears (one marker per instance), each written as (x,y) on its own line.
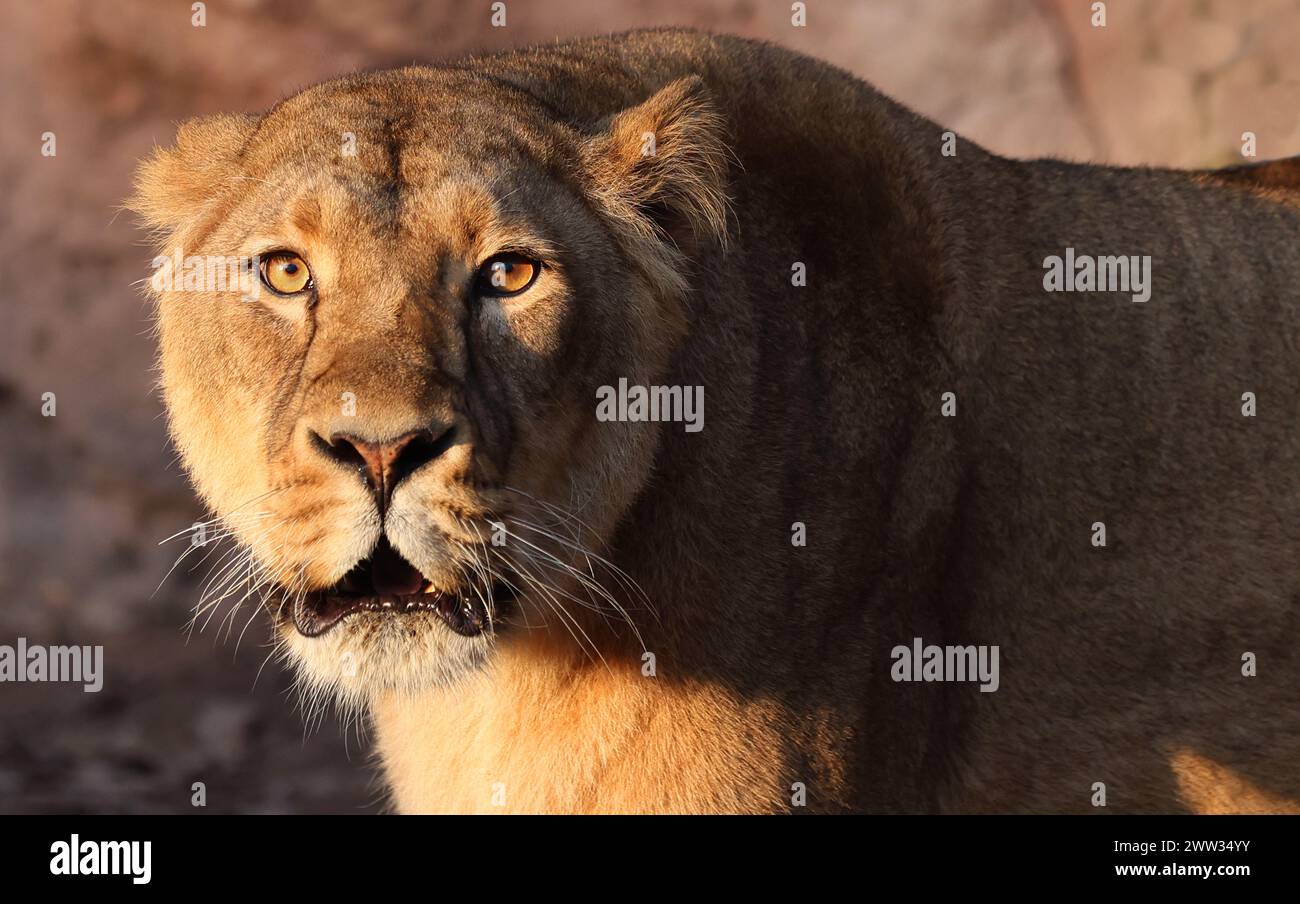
(418,161)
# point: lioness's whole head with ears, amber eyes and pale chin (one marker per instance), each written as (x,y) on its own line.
(398,422)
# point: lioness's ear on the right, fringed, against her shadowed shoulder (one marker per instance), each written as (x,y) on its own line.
(662,166)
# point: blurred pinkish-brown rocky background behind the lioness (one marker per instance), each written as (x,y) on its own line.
(86,496)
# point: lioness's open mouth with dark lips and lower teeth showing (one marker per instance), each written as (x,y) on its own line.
(388,583)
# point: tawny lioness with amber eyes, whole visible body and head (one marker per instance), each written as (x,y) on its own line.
(1033,416)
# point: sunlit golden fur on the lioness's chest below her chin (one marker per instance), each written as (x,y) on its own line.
(541,732)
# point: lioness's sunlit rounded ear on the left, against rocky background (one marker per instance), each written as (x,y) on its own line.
(177,184)
